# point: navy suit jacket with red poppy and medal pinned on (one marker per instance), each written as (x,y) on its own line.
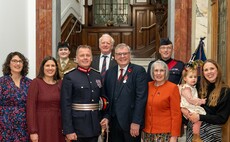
(127,98)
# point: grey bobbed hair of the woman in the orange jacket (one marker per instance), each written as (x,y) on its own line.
(165,66)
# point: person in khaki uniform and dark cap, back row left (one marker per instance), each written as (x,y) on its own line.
(64,62)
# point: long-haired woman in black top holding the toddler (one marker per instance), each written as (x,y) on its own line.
(217,105)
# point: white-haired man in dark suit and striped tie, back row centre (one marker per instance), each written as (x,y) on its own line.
(106,43)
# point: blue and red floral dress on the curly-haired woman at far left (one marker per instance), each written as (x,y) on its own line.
(13,126)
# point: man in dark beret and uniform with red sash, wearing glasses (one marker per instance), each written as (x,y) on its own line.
(175,66)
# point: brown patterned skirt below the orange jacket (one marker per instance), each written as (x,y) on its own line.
(164,137)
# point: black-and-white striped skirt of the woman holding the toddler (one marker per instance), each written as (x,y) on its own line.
(208,132)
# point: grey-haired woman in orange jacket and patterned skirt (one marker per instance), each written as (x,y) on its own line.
(163,114)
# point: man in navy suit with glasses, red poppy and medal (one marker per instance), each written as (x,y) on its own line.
(126,88)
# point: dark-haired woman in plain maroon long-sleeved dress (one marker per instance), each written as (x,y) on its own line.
(43,104)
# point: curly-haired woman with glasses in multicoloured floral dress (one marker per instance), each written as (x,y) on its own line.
(13,94)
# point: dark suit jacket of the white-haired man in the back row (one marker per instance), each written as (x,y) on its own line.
(96,61)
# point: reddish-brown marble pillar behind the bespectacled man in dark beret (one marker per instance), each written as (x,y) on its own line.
(182,36)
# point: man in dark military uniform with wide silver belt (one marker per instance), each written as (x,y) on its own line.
(80,94)
